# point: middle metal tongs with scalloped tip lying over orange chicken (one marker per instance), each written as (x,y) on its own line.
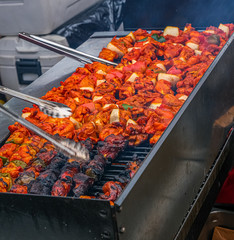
(52,109)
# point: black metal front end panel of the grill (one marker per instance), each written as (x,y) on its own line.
(54,218)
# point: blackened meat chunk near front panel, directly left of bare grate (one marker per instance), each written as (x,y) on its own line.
(82,184)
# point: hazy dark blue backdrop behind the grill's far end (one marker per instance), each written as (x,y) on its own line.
(153,14)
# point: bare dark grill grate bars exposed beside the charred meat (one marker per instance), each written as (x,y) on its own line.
(118,166)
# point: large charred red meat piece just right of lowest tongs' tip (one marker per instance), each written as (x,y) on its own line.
(112,146)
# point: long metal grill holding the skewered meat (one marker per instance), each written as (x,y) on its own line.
(178,177)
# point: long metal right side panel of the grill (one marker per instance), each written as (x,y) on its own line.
(159,196)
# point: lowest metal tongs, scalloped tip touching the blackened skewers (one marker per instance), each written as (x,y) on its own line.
(68,147)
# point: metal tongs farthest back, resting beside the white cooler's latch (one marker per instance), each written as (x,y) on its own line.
(58,48)
